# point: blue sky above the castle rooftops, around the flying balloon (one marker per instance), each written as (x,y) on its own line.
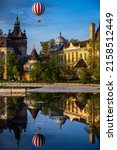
(71,17)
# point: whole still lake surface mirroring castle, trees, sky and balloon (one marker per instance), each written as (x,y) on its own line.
(64,121)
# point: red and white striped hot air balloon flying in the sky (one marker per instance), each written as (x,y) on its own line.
(38,8)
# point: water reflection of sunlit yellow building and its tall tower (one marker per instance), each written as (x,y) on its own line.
(85,108)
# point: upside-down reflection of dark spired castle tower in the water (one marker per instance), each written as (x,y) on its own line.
(13,116)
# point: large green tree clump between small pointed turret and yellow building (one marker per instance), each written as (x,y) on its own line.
(51,70)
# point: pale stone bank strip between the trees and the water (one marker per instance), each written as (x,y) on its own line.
(48,88)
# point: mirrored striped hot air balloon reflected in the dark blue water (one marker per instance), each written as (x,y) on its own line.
(38,140)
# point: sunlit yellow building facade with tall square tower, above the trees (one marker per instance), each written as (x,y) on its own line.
(90,49)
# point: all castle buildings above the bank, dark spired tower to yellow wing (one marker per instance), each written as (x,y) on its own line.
(75,53)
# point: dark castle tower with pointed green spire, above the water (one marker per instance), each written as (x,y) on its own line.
(15,41)
